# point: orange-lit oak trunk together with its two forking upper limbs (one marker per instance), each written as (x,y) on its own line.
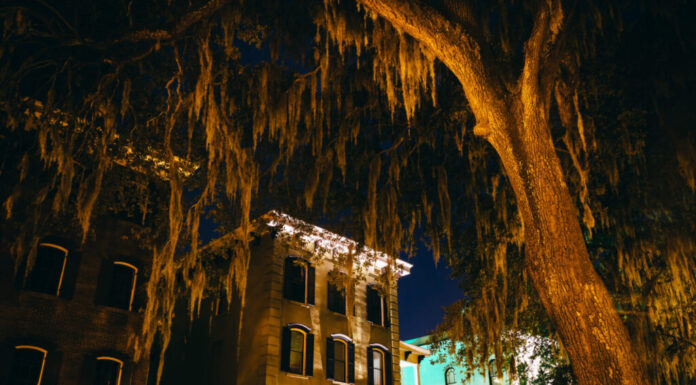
(516,124)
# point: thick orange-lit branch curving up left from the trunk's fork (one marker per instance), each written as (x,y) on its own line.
(456,48)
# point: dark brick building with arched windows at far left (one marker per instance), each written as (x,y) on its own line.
(72,318)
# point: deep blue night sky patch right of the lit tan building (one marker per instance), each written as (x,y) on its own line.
(423,294)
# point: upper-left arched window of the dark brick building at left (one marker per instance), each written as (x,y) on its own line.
(46,274)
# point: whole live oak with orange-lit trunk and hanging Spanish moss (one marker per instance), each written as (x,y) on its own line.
(230,97)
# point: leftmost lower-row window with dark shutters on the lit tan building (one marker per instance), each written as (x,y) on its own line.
(297,354)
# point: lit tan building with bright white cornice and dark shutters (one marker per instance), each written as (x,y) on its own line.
(295,322)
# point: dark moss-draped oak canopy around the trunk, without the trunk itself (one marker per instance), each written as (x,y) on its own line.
(328,111)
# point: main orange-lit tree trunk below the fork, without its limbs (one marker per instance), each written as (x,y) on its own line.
(556,259)
